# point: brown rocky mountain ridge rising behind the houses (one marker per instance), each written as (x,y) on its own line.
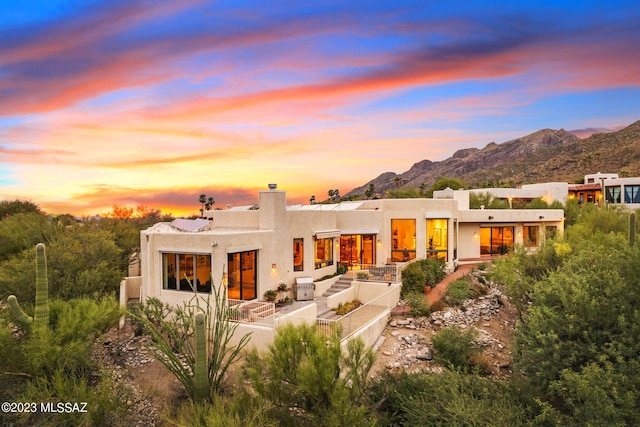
(544,156)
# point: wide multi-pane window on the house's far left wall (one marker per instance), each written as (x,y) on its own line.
(186,272)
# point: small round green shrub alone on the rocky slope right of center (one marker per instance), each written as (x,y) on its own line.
(454,347)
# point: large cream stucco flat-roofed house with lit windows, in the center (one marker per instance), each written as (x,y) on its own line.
(250,251)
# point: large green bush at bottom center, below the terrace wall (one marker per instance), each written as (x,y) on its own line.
(307,379)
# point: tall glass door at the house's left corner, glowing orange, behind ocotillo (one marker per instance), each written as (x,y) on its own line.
(242,275)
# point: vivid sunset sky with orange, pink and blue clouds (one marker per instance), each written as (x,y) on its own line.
(153,103)
